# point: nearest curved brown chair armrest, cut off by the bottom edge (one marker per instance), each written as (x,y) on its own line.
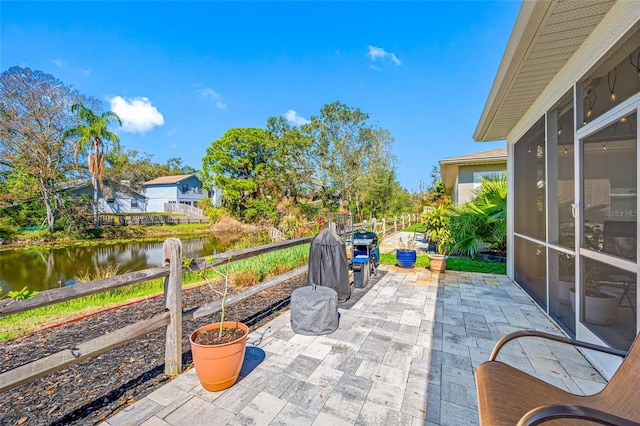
(552,412)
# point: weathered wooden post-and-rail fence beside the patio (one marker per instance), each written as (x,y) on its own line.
(171,319)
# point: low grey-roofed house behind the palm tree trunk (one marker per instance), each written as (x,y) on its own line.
(113,198)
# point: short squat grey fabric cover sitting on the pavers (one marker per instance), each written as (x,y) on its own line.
(314,310)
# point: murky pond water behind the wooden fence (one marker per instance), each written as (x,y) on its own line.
(46,269)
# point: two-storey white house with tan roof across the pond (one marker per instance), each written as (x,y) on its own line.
(180,189)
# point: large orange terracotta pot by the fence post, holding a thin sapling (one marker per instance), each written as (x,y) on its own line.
(218,366)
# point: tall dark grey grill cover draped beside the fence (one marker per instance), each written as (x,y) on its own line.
(328,265)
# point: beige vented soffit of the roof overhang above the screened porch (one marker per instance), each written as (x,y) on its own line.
(545,37)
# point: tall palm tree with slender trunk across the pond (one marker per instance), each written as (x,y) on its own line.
(93,135)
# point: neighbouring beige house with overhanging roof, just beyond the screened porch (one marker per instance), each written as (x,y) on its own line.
(461,175)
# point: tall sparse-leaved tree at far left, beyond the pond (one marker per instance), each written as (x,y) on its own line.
(34,115)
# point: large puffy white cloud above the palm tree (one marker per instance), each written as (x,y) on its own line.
(137,114)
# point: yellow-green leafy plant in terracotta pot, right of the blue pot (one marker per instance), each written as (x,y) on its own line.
(438,224)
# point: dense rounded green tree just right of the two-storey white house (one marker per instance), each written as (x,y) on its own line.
(237,163)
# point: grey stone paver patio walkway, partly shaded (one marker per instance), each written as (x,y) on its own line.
(404,354)
